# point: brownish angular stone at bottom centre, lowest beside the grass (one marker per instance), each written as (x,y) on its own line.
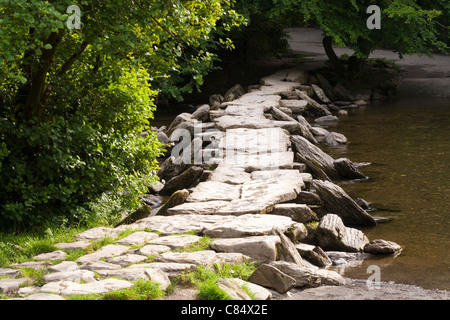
(269,276)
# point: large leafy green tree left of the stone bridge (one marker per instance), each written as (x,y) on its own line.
(74,101)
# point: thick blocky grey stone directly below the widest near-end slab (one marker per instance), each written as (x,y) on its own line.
(259,248)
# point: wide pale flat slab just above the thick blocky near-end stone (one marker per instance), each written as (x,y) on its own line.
(248,225)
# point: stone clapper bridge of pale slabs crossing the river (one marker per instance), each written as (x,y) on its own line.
(256,204)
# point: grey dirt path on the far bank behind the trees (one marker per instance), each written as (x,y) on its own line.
(423,76)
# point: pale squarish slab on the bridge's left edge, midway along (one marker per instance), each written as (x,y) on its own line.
(214,191)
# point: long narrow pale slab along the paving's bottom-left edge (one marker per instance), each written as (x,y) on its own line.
(71,288)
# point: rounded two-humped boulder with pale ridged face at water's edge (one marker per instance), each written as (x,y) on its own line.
(332,234)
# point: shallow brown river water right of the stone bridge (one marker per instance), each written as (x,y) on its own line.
(408,146)
